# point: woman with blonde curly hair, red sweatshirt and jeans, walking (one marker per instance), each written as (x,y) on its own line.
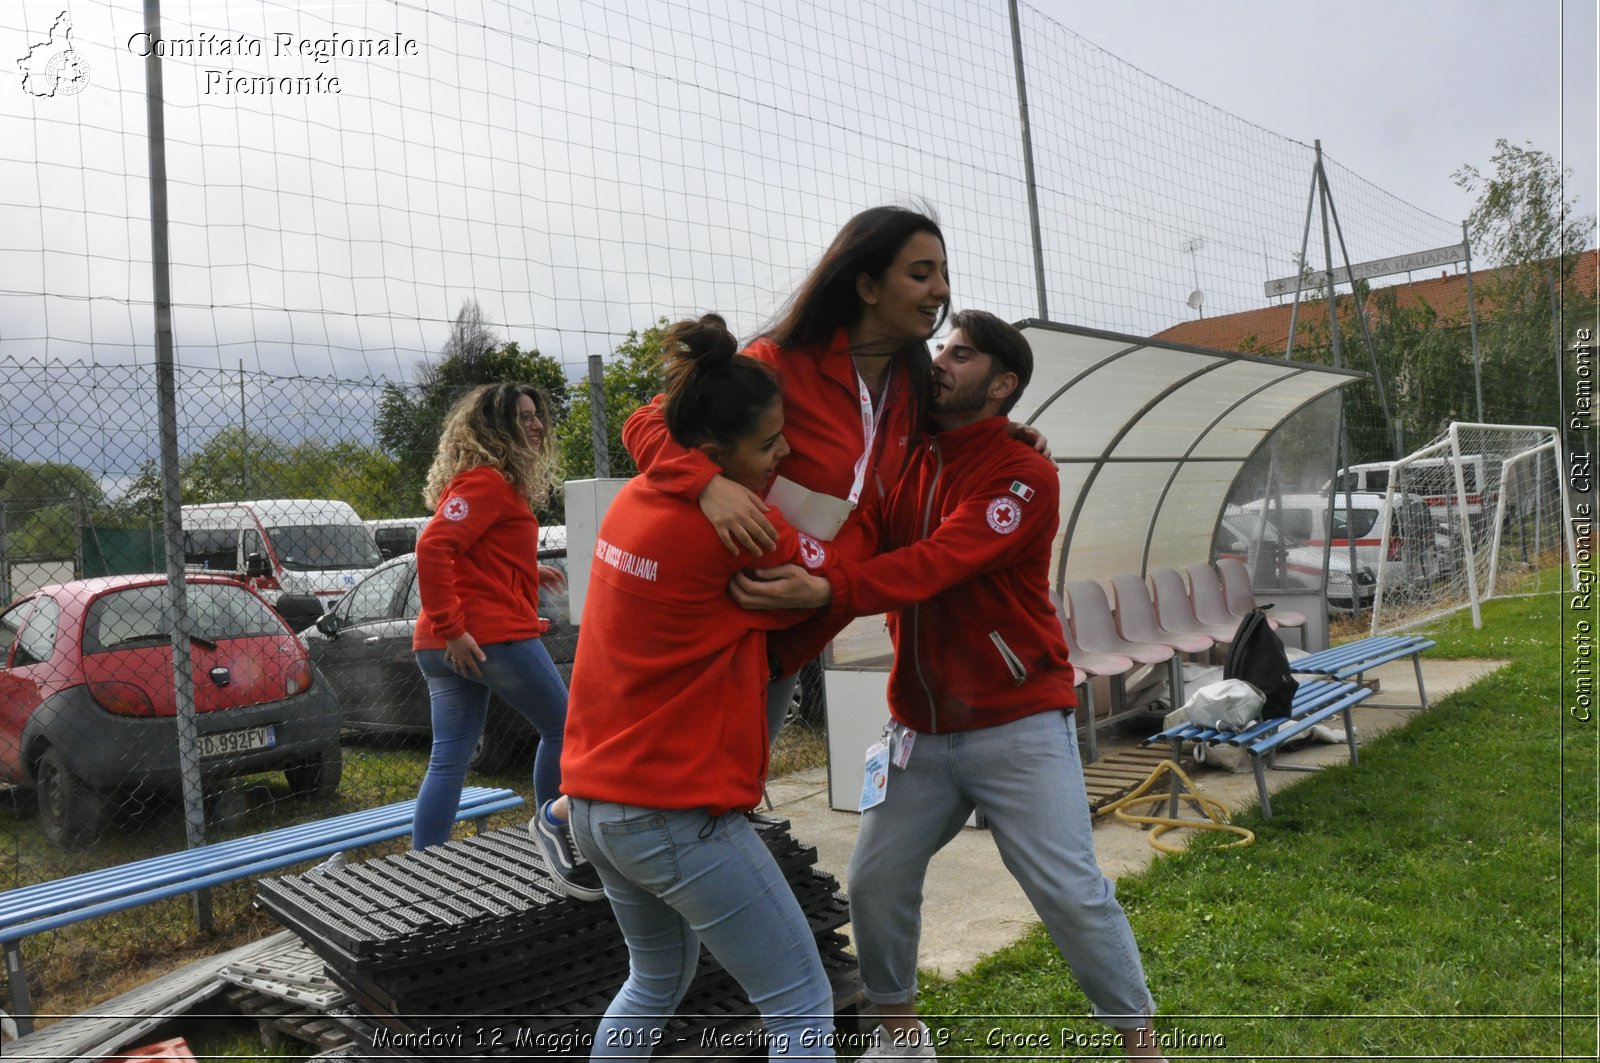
(479,632)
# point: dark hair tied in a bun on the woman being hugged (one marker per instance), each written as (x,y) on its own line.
(713,393)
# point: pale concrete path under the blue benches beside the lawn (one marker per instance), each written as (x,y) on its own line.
(975,909)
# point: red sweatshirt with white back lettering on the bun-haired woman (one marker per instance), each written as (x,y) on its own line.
(668,704)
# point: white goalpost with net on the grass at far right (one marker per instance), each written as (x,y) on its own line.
(1481,513)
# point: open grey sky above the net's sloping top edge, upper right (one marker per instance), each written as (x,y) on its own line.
(1402,92)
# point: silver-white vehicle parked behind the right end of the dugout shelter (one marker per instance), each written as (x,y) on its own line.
(1418,553)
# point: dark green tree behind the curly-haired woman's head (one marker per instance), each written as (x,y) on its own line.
(410,417)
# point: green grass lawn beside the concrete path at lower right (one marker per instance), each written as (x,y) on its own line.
(1438,901)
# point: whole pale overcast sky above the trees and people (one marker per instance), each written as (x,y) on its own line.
(583,169)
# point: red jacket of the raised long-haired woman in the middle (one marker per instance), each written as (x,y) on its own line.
(822,423)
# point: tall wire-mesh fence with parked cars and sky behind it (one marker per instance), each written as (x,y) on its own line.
(513,191)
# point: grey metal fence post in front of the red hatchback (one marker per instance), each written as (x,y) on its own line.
(167,417)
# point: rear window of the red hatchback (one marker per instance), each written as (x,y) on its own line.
(140,616)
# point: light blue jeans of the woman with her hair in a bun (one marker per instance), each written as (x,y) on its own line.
(676,878)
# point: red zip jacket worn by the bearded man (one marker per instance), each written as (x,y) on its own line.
(966,579)
